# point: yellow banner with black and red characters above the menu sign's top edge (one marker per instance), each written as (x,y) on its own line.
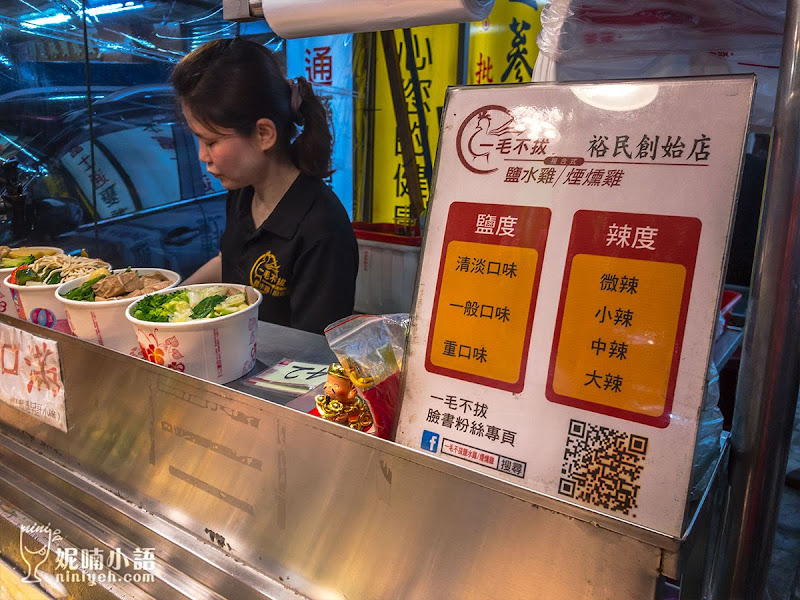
(502,49)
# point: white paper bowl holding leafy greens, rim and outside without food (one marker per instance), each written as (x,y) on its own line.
(217,350)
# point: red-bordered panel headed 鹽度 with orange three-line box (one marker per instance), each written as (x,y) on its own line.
(486,293)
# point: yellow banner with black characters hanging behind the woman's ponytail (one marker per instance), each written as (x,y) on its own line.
(434,51)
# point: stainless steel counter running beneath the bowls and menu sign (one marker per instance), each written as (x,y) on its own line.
(243,498)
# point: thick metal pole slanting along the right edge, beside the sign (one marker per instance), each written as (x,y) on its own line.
(768,381)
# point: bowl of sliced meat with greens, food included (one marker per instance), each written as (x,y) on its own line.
(96,303)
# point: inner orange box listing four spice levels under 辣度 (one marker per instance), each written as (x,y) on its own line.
(618,332)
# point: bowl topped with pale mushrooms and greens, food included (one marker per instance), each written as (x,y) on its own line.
(33,287)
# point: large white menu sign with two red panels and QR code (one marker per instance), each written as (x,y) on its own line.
(569,286)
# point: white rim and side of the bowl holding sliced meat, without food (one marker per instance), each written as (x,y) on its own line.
(104,322)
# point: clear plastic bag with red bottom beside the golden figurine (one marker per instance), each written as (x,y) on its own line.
(370,348)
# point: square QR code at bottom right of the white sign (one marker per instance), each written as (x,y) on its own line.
(602,466)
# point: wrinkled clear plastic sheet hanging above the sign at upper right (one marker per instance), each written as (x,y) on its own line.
(582,40)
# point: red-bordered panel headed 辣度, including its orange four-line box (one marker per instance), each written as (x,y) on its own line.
(620,324)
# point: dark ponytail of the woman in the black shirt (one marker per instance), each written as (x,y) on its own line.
(311,150)
